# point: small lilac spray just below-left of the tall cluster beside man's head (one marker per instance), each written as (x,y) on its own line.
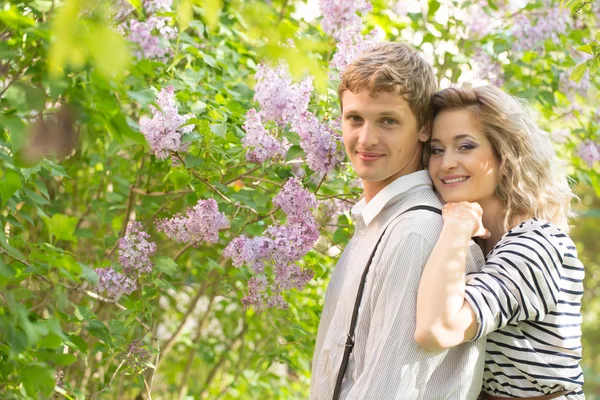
(260,143)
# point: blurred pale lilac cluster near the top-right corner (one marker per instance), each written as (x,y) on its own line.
(532,32)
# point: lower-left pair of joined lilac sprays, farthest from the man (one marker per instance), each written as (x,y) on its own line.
(134,255)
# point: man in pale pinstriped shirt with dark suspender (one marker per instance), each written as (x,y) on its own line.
(385,98)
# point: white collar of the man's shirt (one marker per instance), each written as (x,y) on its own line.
(369,211)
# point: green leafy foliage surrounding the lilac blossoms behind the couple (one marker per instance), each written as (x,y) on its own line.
(75,168)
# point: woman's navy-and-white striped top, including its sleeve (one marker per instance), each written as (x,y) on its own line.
(527,300)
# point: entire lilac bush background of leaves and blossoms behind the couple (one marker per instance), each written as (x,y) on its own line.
(119,111)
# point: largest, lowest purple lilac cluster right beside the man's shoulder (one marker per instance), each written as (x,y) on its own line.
(282,246)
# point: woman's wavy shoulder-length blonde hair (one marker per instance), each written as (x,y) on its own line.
(533,181)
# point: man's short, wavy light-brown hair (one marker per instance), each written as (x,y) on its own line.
(393,67)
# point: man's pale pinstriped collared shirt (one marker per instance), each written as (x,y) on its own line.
(386,362)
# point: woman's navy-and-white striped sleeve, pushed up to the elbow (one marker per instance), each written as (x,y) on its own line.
(519,282)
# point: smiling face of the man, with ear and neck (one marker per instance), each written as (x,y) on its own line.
(381,137)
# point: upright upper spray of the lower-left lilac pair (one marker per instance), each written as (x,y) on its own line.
(135,250)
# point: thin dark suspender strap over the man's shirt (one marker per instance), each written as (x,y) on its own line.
(361,288)
